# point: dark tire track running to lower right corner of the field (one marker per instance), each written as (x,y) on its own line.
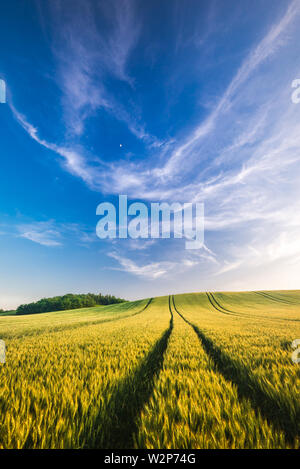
(234,372)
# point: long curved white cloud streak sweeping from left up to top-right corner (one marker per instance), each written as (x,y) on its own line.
(116,178)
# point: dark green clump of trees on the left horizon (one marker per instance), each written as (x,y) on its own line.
(69,301)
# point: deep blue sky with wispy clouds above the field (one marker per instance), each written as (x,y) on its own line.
(199,96)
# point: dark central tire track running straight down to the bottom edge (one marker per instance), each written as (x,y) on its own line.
(131,395)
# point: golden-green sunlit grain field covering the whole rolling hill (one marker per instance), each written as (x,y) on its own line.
(207,370)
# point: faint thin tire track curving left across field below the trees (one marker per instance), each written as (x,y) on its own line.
(53,329)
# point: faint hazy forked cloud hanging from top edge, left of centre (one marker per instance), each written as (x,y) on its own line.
(87,52)
